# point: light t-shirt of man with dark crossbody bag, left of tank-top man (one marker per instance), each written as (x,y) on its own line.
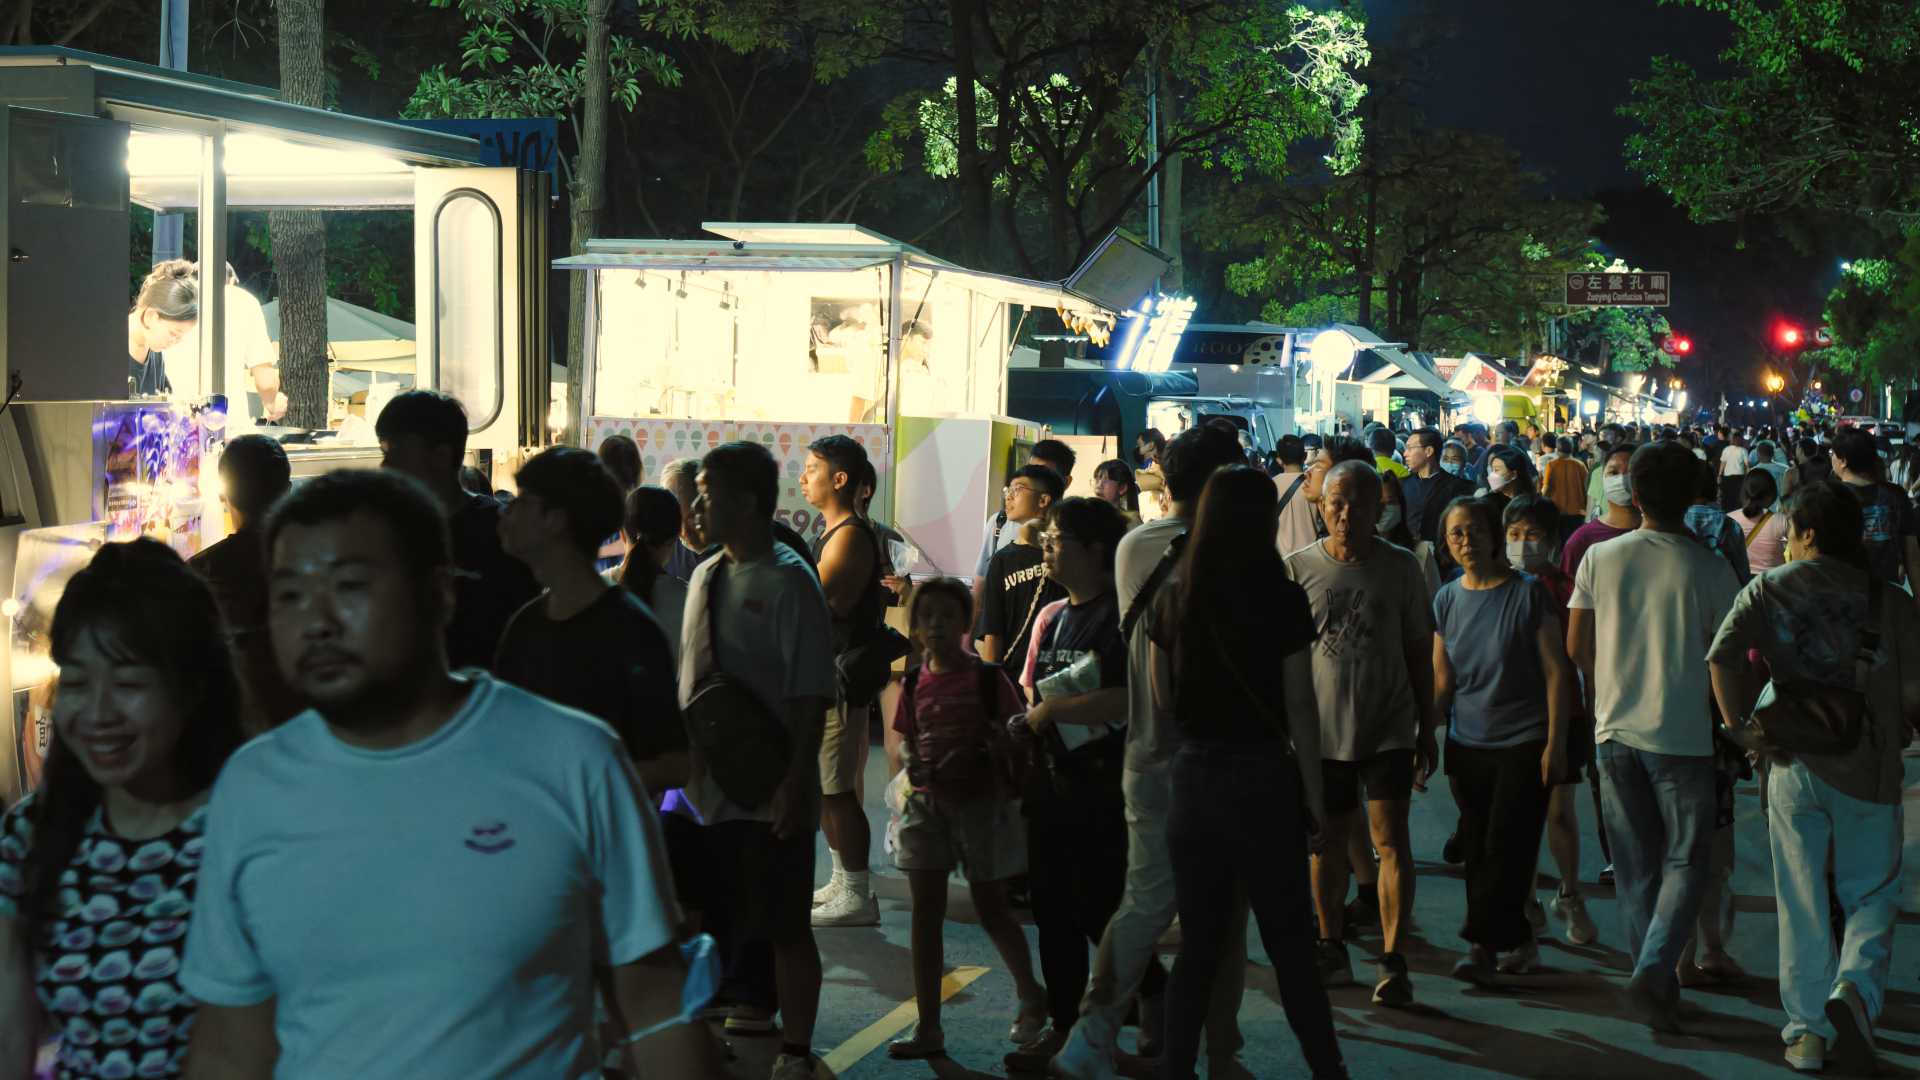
(777,635)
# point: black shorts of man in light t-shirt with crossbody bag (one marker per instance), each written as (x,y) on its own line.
(767,885)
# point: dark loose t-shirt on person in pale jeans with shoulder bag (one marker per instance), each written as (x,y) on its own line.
(1806,620)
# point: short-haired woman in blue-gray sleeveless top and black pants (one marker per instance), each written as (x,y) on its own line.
(1500,658)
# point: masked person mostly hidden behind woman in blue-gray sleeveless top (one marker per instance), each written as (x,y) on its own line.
(1533,549)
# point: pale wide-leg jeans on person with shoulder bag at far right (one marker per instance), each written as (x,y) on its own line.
(1806,820)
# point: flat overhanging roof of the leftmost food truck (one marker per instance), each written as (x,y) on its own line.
(143,87)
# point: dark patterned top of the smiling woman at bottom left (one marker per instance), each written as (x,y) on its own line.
(108,964)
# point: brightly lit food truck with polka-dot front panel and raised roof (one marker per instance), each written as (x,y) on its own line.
(784,333)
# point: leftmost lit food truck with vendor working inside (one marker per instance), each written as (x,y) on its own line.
(87,139)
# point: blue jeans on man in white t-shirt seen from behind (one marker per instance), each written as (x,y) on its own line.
(1660,818)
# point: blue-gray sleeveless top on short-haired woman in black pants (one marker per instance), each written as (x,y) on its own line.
(1500,691)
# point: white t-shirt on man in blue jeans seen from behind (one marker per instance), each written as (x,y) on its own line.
(1658,601)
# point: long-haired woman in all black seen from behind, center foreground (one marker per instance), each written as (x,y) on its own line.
(1232,666)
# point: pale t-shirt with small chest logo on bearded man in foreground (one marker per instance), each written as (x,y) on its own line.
(435,910)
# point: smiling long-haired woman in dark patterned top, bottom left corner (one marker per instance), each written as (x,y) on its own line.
(97,868)
